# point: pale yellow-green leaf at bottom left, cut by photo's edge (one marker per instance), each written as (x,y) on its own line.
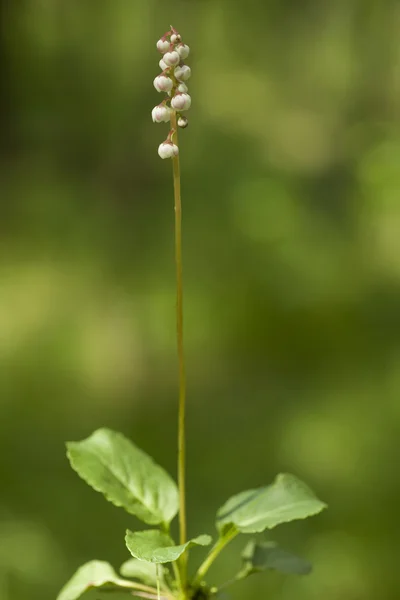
(93,574)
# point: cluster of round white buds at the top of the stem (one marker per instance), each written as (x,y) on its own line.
(171,81)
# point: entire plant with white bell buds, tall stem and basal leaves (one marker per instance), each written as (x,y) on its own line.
(129,478)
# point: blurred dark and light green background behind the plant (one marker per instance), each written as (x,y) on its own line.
(291,197)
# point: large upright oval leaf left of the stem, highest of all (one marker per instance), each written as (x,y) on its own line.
(126,475)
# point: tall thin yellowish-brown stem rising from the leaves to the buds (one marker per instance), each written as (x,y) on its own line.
(181,357)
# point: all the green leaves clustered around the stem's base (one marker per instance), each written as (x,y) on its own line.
(129,478)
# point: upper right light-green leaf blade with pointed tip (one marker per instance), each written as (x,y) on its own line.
(253,511)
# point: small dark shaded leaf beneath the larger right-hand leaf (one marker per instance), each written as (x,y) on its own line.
(261,556)
